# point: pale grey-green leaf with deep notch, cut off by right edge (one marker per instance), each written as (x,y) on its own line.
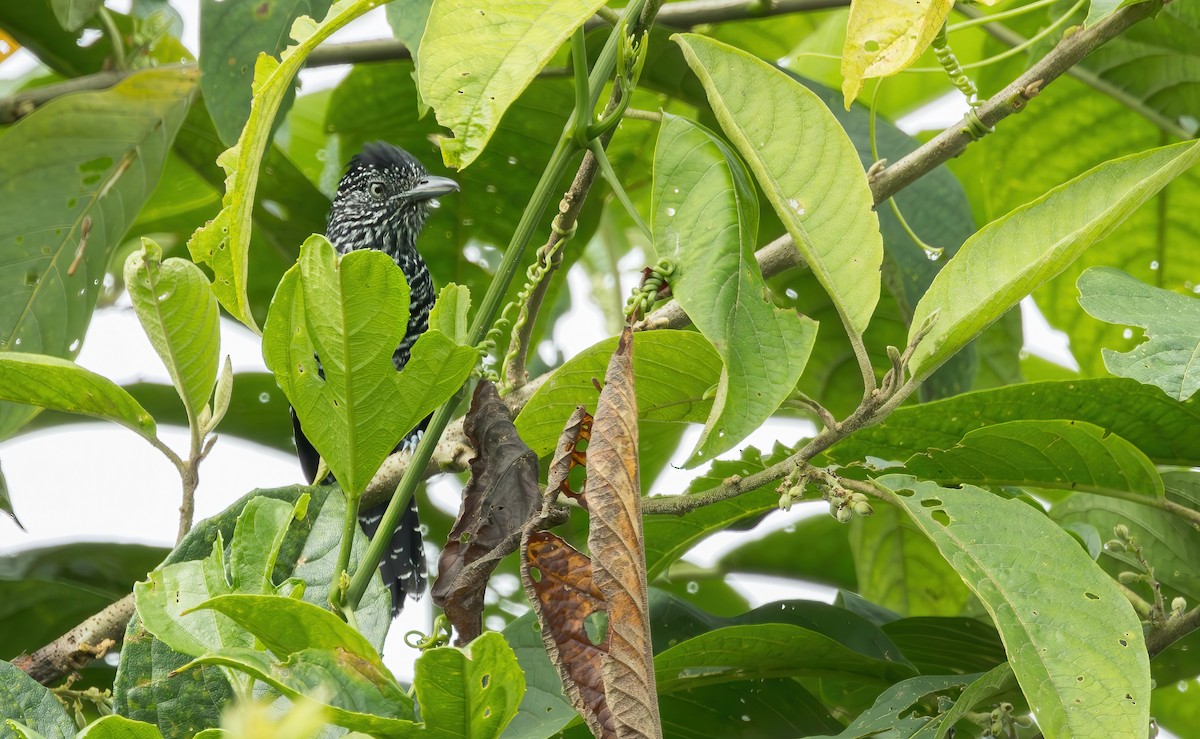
(1169,359)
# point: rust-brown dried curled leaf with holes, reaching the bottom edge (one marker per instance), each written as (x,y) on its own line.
(593,612)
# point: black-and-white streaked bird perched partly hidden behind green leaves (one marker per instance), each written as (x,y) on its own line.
(382,203)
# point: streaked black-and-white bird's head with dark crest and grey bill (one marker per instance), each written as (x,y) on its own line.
(383,201)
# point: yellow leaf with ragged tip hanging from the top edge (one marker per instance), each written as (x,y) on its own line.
(886,37)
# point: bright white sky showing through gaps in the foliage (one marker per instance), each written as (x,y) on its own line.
(103,483)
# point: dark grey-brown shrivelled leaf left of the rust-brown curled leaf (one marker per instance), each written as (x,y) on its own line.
(500,498)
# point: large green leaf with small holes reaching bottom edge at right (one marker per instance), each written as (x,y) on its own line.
(1061,617)
